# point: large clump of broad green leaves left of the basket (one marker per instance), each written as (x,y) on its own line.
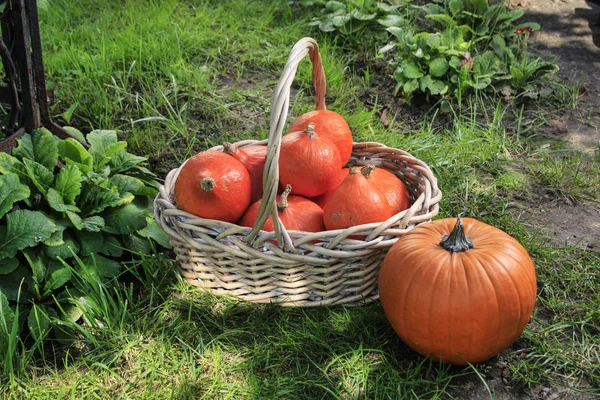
(64,206)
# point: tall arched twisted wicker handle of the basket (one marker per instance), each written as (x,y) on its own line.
(279,112)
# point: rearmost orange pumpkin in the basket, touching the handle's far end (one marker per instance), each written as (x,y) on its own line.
(331,125)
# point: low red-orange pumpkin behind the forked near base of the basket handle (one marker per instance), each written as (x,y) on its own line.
(295,212)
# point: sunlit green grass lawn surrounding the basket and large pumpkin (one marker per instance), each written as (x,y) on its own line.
(176,77)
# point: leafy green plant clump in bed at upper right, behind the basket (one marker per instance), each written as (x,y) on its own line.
(472,45)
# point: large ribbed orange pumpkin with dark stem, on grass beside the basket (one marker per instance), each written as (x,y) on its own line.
(457,293)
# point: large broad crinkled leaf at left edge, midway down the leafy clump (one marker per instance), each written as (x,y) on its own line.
(25,228)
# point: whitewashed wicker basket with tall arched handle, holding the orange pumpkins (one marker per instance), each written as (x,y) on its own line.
(305,269)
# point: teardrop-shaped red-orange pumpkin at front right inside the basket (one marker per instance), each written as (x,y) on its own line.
(355,202)
